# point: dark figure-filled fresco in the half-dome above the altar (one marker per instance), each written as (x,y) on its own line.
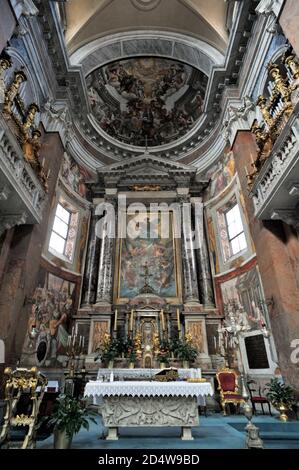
(146,101)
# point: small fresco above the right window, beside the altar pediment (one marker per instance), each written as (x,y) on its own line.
(220,175)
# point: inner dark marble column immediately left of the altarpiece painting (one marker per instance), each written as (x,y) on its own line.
(106,259)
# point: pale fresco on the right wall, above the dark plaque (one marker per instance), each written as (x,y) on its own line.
(244,294)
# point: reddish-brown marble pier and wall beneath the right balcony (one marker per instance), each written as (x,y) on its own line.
(277,249)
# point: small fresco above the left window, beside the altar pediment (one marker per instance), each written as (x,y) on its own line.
(74,175)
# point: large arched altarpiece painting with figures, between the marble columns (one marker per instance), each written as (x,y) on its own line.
(148,261)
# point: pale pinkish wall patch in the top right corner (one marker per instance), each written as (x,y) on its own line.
(289,20)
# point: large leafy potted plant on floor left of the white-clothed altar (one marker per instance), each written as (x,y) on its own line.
(69,415)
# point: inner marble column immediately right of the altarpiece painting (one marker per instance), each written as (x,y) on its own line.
(188,254)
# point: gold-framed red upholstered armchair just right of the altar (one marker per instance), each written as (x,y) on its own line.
(228,386)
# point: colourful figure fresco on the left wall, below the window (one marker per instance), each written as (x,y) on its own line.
(50,315)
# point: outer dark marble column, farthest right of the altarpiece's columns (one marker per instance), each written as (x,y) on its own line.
(202,255)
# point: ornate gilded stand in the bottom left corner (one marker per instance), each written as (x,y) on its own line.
(21,381)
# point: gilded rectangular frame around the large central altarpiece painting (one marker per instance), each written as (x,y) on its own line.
(177,271)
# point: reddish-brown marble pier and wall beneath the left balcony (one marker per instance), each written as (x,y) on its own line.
(19,279)
